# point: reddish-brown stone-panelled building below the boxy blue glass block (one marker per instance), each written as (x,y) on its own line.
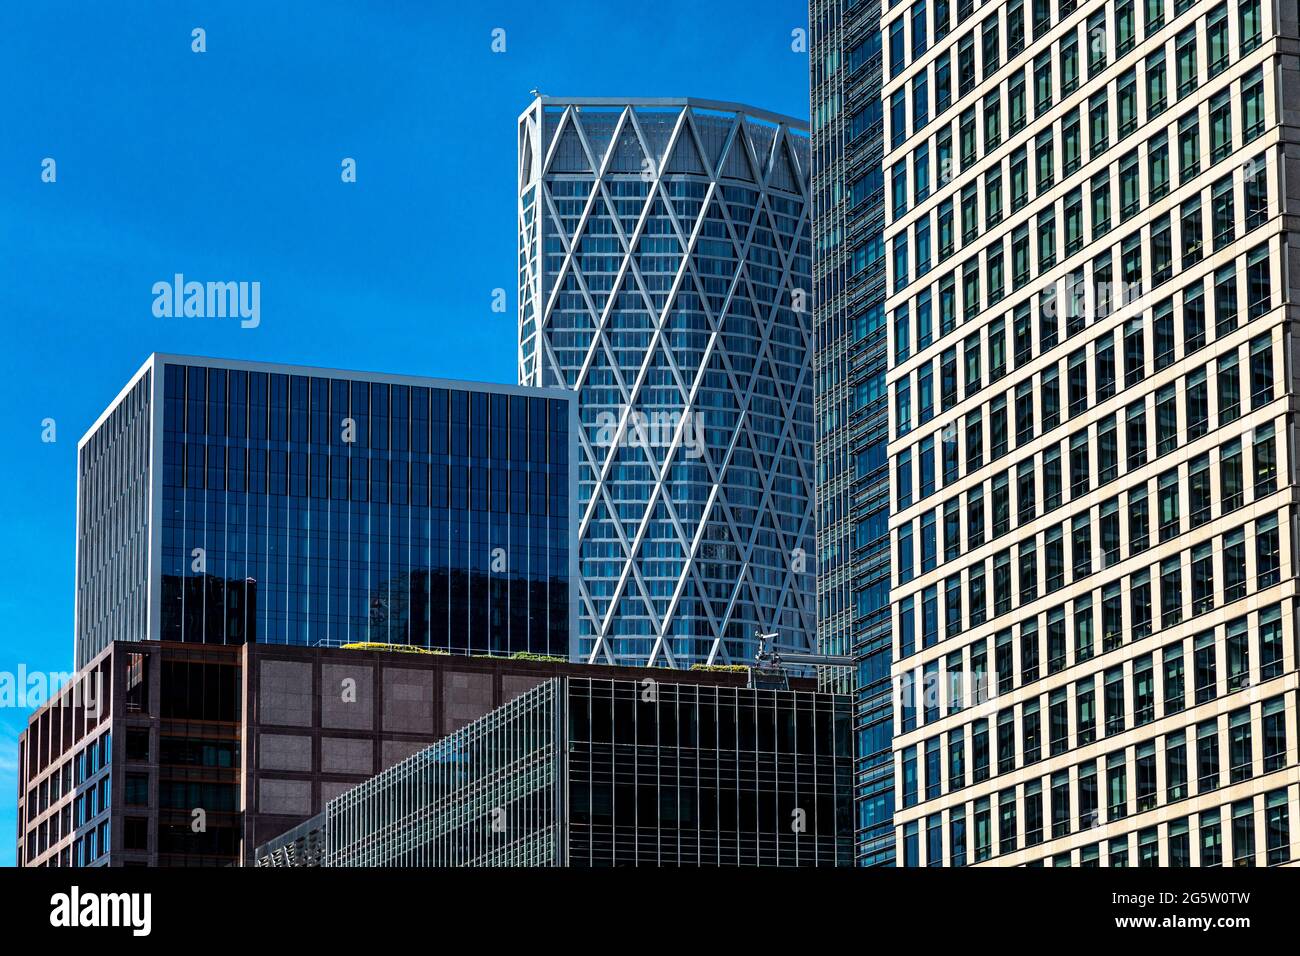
(201,754)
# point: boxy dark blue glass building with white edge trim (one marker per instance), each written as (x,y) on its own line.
(232,501)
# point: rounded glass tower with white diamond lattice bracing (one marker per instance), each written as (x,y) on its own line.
(665,279)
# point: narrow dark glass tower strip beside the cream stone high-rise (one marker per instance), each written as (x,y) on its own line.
(851,403)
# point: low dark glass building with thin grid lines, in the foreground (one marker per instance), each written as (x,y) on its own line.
(587,772)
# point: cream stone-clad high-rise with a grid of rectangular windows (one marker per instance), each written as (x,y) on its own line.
(1091,282)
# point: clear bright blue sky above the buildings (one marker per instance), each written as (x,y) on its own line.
(226,166)
